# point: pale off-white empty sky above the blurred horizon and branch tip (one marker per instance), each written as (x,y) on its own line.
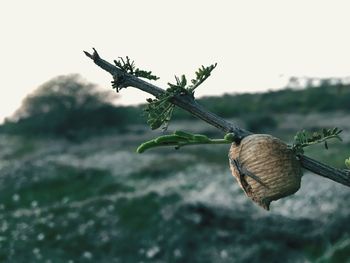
(257,44)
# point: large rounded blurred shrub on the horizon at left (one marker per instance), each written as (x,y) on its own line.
(70,107)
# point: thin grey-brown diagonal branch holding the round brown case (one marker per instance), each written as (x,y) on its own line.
(189,104)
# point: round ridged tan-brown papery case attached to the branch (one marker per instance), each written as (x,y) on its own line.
(265,168)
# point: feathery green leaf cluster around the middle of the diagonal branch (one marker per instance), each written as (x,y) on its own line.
(160,110)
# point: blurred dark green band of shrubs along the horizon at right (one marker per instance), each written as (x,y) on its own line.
(312,99)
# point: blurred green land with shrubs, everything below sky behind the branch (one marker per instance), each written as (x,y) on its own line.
(73,189)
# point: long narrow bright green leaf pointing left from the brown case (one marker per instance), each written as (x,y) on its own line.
(181,138)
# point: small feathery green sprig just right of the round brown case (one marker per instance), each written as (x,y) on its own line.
(304,138)
